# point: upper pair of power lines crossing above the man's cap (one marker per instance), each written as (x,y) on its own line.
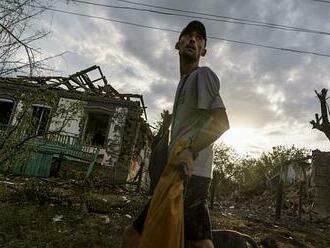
(207,16)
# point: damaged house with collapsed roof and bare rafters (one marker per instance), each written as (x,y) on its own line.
(107,129)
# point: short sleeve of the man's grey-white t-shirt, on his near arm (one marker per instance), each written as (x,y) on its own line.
(208,90)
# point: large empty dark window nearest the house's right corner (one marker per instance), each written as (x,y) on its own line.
(97,129)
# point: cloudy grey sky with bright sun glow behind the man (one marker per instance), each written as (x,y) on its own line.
(269,94)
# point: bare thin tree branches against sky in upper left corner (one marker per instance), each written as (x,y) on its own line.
(17,36)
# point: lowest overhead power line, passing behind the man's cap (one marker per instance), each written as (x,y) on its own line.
(176,31)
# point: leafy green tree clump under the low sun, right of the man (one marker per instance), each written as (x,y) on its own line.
(250,175)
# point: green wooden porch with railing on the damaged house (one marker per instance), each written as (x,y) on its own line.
(47,152)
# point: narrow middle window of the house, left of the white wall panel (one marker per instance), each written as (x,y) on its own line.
(40,118)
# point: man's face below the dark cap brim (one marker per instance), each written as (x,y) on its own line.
(191,46)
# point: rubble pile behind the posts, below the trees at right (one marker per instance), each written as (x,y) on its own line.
(262,207)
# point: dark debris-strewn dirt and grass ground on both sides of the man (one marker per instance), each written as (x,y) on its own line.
(73,213)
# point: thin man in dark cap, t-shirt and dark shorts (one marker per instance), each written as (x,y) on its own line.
(199,116)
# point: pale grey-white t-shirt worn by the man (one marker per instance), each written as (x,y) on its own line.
(197,91)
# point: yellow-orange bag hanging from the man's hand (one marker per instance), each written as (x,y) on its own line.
(163,227)
